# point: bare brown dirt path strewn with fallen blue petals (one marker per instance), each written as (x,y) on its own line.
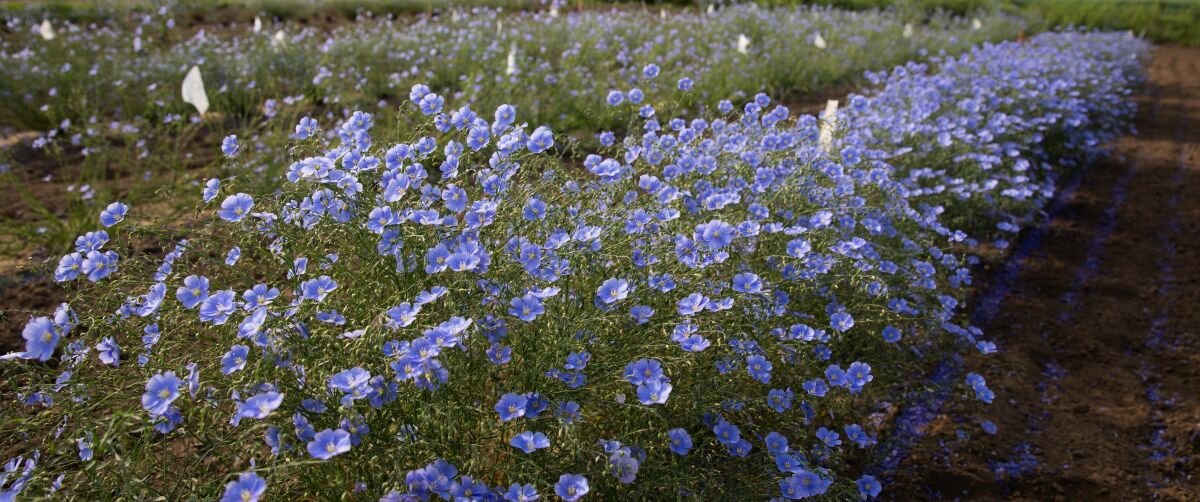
(1099,381)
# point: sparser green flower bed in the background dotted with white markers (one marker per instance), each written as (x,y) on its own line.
(550,67)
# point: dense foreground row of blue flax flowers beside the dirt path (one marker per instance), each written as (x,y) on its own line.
(713,307)
